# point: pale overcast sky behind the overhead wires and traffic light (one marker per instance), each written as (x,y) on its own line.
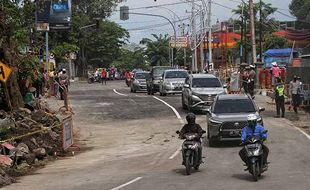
(139,26)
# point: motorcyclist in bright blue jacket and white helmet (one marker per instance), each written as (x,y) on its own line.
(253,129)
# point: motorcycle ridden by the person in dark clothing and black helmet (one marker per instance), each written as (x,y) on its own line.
(191,157)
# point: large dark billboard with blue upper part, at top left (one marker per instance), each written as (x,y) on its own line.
(60,15)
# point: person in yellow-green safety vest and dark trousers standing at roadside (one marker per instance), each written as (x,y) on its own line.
(279,97)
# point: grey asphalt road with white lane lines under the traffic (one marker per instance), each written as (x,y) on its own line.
(132,146)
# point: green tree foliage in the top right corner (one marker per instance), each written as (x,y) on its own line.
(300,9)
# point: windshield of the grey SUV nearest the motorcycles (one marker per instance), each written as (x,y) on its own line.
(234,106)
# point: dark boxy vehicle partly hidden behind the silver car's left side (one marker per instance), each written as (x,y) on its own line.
(154,80)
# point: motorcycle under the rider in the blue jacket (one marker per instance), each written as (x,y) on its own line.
(254,152)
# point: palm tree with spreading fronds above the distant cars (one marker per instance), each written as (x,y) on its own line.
(157,50)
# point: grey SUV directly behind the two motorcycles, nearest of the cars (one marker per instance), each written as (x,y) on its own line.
(228,116)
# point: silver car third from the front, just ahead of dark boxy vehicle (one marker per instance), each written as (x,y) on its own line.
(172,81)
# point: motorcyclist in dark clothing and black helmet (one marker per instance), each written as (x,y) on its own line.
(192,127)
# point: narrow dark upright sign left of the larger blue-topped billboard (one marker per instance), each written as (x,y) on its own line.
(42,15)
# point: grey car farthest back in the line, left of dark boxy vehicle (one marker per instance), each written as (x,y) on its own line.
(138,82)
